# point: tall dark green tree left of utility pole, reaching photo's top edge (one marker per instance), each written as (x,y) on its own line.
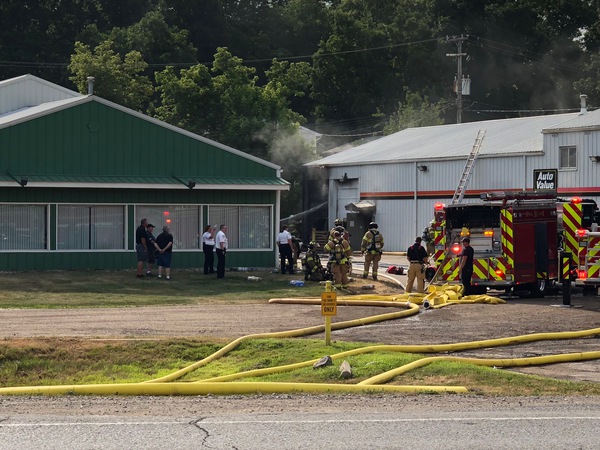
(353,81)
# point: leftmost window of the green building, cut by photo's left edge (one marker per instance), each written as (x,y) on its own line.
(23,227)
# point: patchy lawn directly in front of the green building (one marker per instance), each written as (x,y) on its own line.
(79,289)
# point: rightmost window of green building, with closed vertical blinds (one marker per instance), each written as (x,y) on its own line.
(249,227)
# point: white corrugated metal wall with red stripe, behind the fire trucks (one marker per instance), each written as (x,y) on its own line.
(395,186)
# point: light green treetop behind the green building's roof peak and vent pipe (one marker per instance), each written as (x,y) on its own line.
(117,79)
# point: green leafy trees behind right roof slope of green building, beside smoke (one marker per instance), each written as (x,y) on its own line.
(225,103)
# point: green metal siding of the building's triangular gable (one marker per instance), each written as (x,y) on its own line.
(94,139)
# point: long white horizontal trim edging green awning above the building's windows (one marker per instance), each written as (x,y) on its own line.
(199,187)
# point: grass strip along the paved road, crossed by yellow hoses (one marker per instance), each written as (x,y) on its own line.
(40,362)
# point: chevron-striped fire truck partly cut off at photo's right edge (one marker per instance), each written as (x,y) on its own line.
(578,228)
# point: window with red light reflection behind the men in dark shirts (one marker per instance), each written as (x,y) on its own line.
(183,220)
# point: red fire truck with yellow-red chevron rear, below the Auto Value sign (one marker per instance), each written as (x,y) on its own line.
(514,236)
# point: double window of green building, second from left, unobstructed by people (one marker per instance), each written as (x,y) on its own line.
(84,227)
